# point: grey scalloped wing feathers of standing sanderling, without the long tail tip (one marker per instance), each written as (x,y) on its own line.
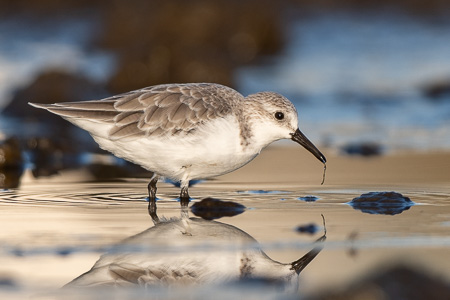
(172,109)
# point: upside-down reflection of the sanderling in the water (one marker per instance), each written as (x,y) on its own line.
(191,250)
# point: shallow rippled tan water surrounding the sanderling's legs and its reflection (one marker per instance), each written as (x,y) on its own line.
(55,229)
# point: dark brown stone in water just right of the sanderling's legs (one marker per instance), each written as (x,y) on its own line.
(210,209)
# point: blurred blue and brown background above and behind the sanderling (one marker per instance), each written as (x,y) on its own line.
(367,78)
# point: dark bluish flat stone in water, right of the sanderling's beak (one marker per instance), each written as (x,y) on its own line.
(381,203)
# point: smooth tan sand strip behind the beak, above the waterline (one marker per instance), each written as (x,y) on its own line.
(291,165)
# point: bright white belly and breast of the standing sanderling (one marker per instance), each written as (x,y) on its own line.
(213,151)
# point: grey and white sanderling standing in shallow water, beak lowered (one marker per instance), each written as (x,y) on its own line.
(186,131)
